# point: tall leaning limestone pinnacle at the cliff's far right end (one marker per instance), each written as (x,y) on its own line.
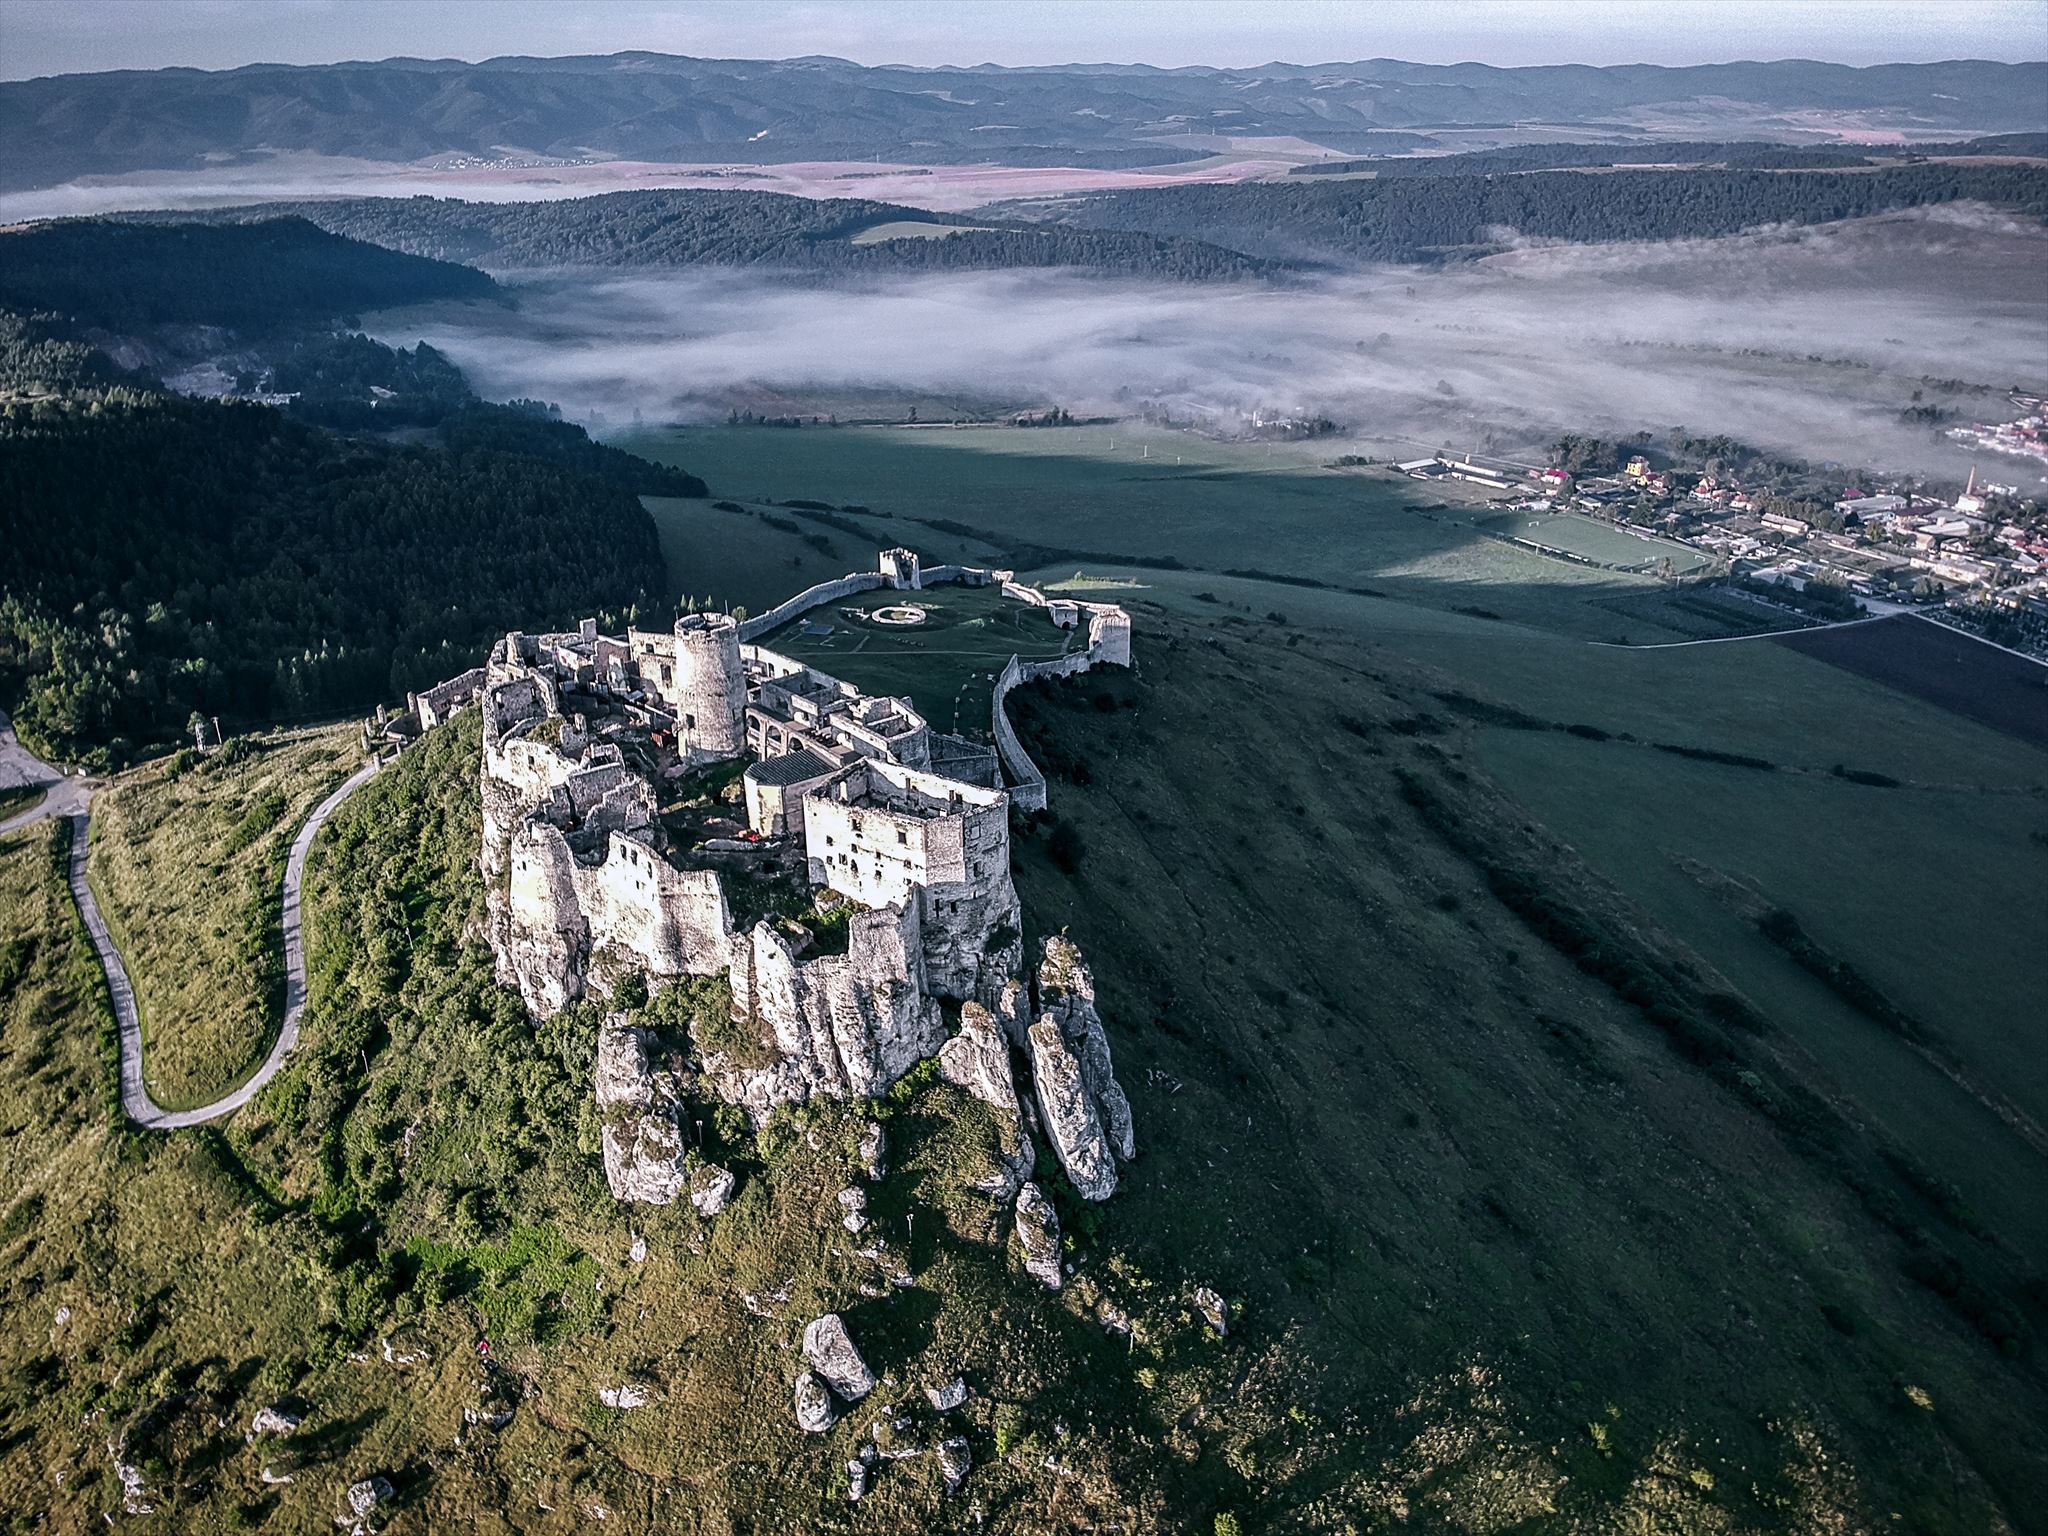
(1082,1105)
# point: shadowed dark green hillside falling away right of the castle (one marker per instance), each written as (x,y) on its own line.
(1488,1201)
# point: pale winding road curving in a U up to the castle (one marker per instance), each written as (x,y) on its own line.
(73,798)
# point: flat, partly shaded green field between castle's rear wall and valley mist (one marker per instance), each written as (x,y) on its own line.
(1052,499)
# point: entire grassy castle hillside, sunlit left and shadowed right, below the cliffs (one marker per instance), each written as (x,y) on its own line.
(1469,1203)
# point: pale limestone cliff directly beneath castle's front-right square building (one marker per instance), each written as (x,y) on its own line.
(841,1025)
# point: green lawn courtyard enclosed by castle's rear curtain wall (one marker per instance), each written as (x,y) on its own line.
(945,665)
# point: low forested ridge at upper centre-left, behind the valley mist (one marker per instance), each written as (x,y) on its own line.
(695,228)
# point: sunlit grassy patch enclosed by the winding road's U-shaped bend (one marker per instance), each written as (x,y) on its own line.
(187,873)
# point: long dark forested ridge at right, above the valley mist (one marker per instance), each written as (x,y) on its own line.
(1433,216)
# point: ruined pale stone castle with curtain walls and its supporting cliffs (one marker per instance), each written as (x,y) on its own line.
(894,835)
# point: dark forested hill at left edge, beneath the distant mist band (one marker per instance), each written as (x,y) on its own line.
(249,275)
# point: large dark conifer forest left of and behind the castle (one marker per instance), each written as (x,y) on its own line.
(169,556)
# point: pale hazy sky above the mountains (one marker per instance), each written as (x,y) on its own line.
(79,36)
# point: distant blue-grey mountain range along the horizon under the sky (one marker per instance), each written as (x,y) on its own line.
(679,110)
